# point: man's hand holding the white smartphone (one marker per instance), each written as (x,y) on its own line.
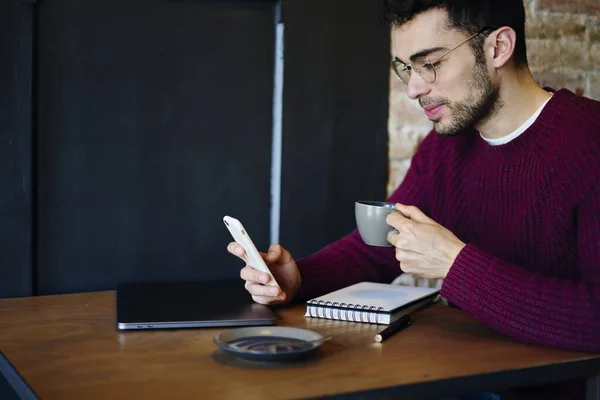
(282,266)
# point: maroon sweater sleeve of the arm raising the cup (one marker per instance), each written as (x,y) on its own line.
(530,307)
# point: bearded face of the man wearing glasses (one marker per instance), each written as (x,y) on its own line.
(463,95)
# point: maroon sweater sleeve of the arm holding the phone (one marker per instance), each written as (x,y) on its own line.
(349,260)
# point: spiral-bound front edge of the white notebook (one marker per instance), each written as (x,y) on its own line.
(343,311)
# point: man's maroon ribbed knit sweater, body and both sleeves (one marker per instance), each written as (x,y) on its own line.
(529,211)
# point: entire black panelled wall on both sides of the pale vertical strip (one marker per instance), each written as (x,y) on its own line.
(128,129)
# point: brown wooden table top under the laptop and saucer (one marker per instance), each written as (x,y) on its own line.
(67,347)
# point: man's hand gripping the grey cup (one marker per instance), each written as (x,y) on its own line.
(423,247)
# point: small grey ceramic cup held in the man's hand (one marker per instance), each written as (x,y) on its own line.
(370,220)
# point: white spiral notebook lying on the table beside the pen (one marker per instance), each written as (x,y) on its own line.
(369,302)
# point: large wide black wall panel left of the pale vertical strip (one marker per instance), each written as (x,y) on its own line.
(154,122)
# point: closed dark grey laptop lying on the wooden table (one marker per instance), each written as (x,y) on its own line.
(168,305)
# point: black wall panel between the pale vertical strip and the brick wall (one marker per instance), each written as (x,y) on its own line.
(335,145)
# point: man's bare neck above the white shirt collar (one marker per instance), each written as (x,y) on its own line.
(521,97)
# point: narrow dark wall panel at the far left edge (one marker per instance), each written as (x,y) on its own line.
(16,24)
